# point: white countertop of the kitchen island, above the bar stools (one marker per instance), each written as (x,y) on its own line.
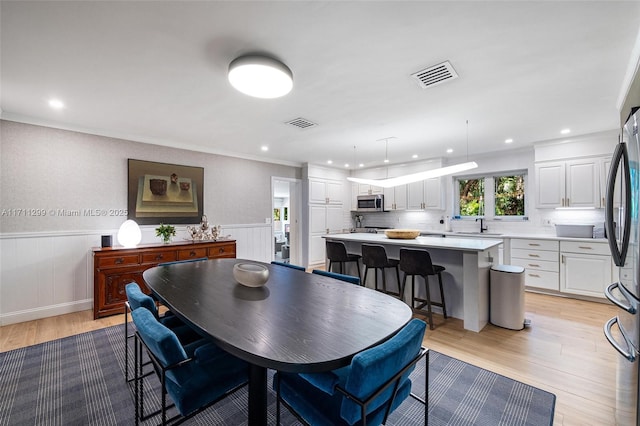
(449,243)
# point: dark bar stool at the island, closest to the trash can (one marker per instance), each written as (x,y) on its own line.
(418,262)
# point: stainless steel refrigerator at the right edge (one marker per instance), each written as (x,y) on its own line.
(623,330)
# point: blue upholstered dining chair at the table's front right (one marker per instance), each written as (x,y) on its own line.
(366,391)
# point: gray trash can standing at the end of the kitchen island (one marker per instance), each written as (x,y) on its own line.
(507,297)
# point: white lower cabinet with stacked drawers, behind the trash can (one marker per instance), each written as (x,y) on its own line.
(539,258)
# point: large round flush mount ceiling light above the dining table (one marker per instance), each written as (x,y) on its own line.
(260,76)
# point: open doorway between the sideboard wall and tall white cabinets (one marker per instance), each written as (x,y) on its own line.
(286,199)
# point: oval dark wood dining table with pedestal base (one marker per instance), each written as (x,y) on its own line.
(297,322)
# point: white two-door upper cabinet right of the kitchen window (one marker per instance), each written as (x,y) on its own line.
(573,183)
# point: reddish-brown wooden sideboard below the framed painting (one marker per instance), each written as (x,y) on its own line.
(115,267)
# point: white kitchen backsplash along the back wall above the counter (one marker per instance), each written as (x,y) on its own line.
(430,221)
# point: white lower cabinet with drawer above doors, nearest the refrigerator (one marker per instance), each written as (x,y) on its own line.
(585,268)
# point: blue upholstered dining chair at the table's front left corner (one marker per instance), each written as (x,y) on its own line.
(195,376)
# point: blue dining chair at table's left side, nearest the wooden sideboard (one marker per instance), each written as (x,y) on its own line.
(137,299)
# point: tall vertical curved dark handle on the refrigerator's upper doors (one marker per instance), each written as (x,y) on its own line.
(619,254)
